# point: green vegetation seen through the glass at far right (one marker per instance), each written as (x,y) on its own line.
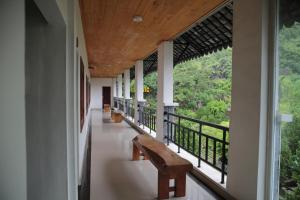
(289,94)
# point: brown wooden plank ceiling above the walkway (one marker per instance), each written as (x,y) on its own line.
(114,42)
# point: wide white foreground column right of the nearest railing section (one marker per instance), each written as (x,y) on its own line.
(246,173)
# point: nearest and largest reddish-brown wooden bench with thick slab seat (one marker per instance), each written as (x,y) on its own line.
(168,163)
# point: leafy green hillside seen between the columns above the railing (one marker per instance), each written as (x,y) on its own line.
(202,87)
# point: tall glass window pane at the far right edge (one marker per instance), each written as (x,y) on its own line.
(286,162)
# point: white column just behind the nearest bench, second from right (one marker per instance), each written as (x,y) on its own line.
(164,87)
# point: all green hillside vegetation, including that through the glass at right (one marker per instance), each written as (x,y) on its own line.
(202,87)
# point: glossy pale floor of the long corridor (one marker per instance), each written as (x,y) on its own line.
(115,177)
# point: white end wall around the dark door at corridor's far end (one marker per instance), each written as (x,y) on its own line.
(96,89)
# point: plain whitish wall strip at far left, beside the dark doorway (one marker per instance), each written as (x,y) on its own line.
(12,106)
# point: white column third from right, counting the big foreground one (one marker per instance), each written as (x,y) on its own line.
(139,90)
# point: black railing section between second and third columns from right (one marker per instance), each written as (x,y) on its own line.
(147,117)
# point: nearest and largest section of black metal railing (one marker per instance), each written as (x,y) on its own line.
(206,141)
